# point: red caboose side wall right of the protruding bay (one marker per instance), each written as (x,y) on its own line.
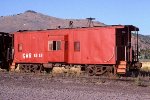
(94,46)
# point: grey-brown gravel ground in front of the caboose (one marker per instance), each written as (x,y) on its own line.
(38,87)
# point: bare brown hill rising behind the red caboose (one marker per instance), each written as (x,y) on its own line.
(31,20)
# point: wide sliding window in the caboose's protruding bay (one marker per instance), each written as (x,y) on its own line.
(54,45)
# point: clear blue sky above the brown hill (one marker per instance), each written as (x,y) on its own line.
(135,12)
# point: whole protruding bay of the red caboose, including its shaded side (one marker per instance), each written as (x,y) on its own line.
(57,43)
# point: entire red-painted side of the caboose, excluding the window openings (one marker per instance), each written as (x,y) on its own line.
(97,46)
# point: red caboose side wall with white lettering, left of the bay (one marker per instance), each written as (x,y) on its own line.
(29,47)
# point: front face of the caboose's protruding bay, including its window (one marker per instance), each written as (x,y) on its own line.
(56,48)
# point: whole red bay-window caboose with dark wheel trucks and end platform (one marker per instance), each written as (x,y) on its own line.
(97,49)
